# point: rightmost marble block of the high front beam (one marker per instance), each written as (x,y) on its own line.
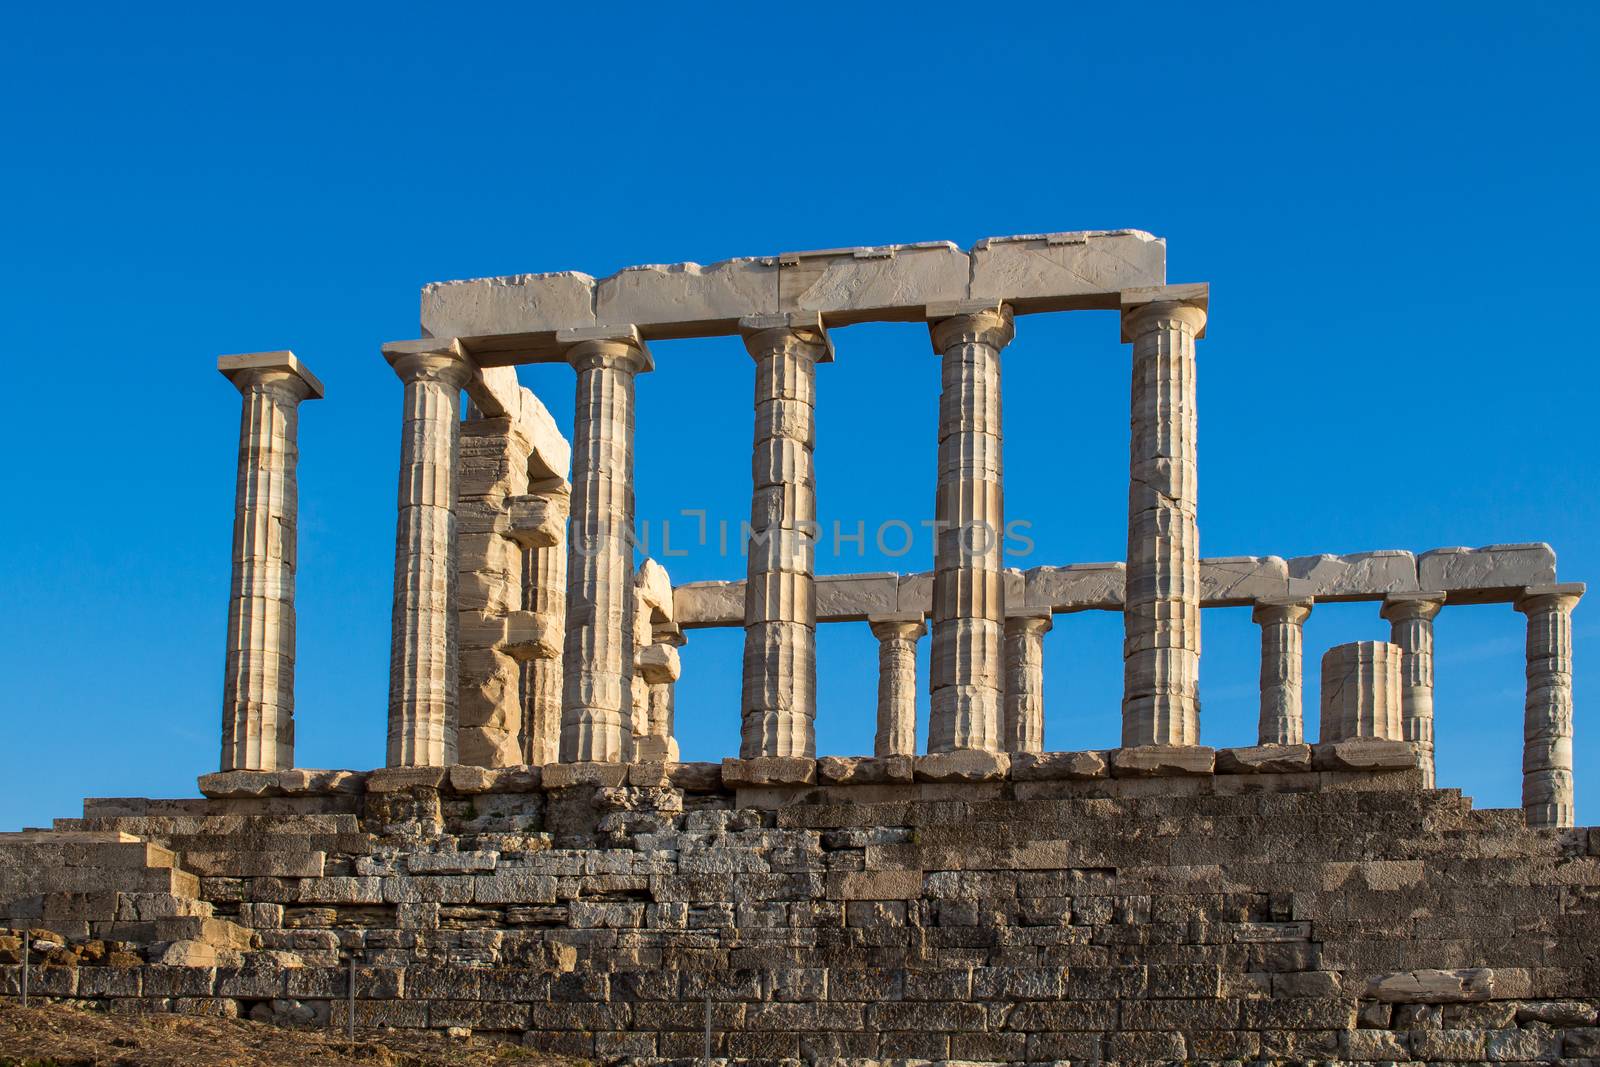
(1047,273)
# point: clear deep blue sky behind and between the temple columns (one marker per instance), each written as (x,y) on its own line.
(1394,207)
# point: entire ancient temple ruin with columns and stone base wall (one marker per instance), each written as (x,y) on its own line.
(537,861)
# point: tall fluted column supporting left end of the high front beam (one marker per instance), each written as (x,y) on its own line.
(423,658)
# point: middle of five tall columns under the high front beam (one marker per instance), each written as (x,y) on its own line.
(778,706)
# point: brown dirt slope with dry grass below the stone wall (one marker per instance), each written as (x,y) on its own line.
(62,1036)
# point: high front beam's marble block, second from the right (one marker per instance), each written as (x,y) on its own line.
(862,284)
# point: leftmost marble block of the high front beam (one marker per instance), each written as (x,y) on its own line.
(524,303)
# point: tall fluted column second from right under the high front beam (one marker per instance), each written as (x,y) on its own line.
(969,586)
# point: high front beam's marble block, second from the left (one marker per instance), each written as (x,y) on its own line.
(686,300)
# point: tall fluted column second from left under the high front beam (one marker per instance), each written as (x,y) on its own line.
(598,660)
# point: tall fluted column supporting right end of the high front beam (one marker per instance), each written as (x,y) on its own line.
(1161,653)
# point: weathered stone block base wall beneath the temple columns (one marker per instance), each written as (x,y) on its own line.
(1140,906)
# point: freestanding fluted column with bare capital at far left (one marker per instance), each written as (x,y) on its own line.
(258,689)
